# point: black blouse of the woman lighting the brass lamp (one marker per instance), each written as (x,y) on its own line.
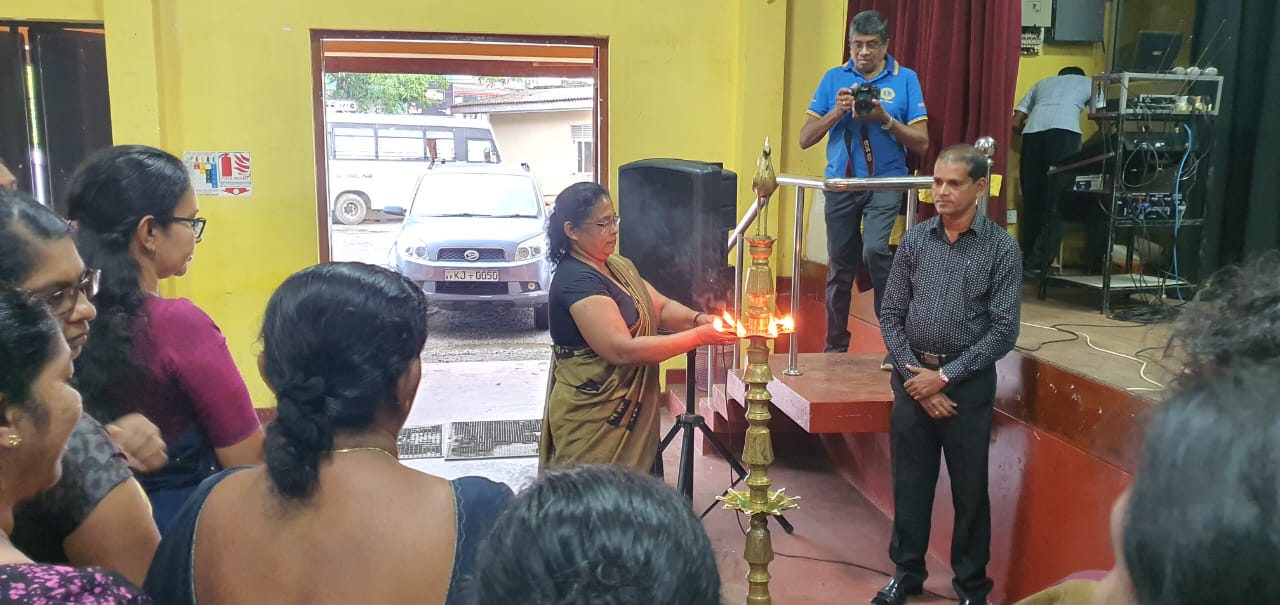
(575,281)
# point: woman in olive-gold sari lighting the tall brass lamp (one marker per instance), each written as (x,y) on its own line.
(602,400)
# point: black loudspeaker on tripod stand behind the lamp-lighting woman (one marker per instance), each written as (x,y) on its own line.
(676,219)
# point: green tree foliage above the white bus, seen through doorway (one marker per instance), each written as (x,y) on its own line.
(383,93)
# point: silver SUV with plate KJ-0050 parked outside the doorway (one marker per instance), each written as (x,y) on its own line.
(476,236)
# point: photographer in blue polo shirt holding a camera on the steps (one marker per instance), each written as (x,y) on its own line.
(874,109)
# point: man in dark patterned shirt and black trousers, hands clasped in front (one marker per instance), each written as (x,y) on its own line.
(952,309)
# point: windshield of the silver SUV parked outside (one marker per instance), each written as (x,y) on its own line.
(476,195)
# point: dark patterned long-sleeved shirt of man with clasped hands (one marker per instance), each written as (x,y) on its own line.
(953,299)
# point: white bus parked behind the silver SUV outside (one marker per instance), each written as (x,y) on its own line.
(376,159)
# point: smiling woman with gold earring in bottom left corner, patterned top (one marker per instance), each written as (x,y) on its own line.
(39,412)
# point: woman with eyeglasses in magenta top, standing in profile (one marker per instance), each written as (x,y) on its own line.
(136,216)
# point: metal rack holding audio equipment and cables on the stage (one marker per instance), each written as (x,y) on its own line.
(1133,107)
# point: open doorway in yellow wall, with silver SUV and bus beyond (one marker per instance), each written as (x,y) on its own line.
(440,158)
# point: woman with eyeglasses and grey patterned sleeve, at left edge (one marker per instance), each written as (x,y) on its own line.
(97,515)
